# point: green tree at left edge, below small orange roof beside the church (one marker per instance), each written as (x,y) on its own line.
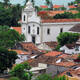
(9,38)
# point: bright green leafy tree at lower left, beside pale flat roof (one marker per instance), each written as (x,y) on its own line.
(22,71)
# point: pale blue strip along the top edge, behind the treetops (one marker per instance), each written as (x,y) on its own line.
(42,2)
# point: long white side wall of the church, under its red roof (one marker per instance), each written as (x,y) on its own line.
(55,30)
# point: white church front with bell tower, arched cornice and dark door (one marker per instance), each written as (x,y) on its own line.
(31,24)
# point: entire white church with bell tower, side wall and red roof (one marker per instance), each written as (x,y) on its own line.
(37,30)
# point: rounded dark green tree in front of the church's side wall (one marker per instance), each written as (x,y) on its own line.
(66,38)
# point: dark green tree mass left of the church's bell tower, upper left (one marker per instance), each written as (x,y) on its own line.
(10,15)
